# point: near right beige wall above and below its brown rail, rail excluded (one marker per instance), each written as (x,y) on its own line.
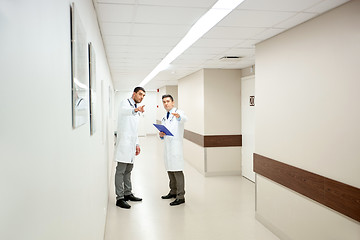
(307,116)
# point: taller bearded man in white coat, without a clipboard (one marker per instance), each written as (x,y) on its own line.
(127,146)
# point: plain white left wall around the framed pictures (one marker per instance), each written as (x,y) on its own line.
(53,178)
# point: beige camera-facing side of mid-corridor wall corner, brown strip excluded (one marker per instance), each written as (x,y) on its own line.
(222,116)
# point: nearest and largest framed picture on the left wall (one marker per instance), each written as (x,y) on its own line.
(79,72)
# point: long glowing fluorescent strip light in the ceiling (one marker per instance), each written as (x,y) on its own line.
(220,10)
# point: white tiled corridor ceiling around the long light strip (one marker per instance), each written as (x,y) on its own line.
(138,34)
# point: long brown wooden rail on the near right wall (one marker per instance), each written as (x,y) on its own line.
(338,196)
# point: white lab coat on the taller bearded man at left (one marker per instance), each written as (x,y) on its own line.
(127,132)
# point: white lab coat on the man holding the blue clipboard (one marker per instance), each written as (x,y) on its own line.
(173,154)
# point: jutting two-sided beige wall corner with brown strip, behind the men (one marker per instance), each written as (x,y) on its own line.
(211,100)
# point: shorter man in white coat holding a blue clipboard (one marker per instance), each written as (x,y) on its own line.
(173,154)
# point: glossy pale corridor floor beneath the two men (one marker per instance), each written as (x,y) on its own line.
(216,208)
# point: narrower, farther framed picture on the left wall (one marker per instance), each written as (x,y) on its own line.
(92,87)
